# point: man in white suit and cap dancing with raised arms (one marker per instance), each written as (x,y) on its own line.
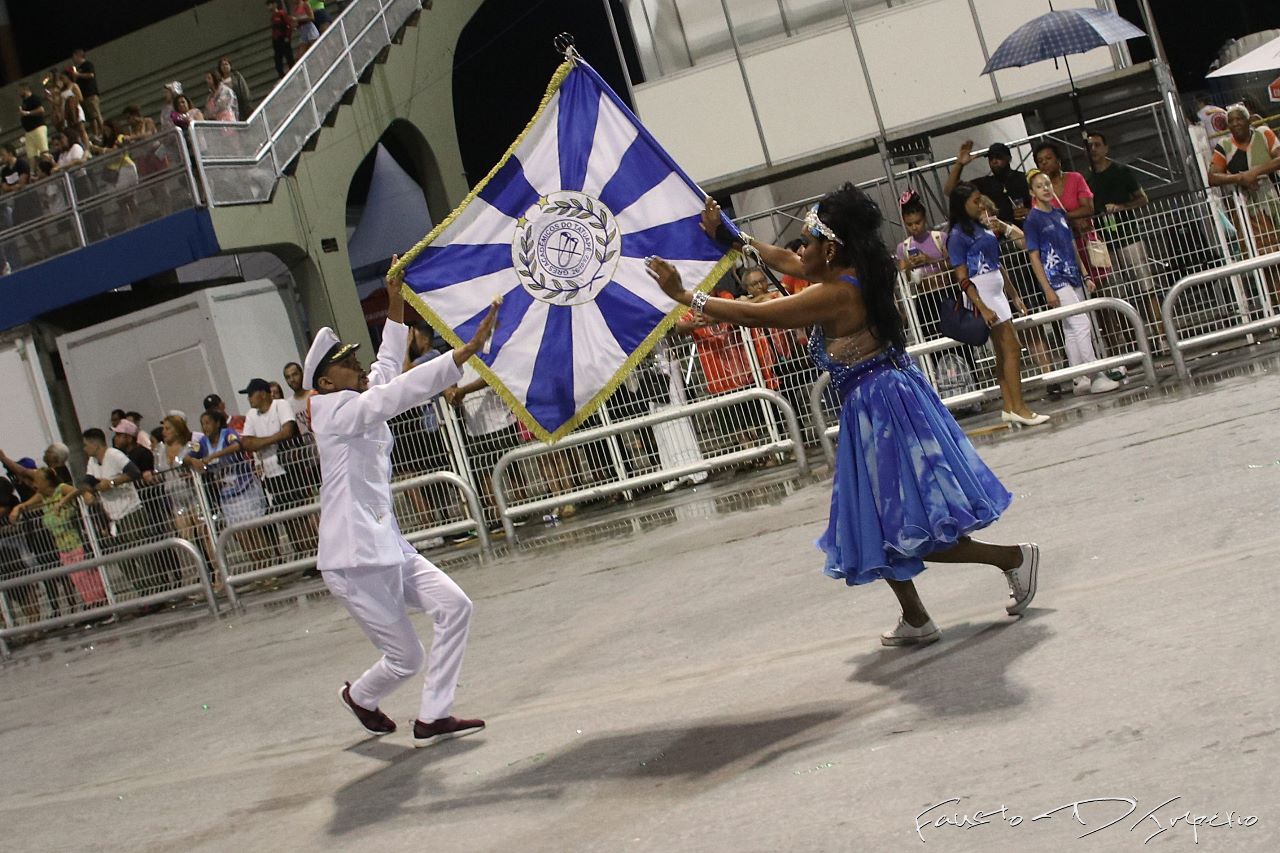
(364,559)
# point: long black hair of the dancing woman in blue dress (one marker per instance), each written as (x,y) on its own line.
(857,220)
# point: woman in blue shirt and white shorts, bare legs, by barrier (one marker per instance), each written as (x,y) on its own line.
(975,253)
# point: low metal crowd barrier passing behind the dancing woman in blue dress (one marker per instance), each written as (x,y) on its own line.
(1142,355)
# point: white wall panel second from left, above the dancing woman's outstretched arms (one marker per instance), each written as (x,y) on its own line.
(787,84)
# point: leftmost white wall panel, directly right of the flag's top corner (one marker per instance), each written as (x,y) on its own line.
(705,121)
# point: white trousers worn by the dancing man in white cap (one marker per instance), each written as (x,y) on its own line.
(380,600)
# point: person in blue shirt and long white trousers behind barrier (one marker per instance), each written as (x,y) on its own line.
(1057,263)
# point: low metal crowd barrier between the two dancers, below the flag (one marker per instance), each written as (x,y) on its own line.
(509,513)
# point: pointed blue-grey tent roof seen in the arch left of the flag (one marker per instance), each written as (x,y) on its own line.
(395,220)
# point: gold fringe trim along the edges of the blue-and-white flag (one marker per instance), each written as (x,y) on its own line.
(496,384)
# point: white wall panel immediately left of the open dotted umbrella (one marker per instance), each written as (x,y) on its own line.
(925,61)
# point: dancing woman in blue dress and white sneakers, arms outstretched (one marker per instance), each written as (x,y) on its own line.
(908,486)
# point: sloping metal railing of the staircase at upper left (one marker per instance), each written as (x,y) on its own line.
(240,162)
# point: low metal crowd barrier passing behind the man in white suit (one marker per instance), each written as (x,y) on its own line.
(227,536)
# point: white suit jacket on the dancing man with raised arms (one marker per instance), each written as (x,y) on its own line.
(358,526)
